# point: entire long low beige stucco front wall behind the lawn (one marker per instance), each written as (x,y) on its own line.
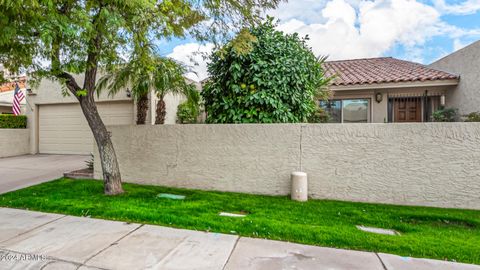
(431,164)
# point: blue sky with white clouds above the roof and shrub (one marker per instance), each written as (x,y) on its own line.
(414,30)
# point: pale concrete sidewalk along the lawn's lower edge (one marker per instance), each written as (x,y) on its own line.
(34,240)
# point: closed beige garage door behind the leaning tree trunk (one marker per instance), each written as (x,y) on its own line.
(64,130)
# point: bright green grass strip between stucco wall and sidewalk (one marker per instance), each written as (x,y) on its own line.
(425,232)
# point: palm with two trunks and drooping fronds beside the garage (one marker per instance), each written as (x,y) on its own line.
(156,74)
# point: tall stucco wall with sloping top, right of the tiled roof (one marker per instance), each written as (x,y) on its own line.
(465,62)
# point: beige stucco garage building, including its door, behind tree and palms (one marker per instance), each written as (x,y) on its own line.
(58,126)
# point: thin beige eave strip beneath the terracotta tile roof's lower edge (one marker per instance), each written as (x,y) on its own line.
(392,85)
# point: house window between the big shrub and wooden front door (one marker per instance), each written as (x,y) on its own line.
(347,110)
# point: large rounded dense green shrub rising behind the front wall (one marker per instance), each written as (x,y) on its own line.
(271,78)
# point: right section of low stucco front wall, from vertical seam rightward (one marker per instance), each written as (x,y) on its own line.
(430,164)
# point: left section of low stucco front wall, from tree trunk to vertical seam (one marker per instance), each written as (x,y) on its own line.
(239,158)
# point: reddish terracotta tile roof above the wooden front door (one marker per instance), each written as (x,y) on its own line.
(382,70)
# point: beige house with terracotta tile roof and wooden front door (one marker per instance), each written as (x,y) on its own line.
(386,89)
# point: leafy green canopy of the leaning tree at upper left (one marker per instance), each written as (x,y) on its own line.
(49,38)
